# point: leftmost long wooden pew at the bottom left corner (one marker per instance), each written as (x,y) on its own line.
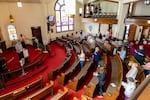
(25,89)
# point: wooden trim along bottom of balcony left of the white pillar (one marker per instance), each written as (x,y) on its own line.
(100,20)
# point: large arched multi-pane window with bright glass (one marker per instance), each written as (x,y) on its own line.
(64,10)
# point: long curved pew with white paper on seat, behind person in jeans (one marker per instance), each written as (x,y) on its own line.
(112,92)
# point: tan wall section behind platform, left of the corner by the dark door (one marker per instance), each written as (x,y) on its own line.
(25,18)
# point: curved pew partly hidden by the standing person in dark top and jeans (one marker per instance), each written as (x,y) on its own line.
(90,89)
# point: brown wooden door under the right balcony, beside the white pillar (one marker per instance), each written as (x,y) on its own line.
(131,33)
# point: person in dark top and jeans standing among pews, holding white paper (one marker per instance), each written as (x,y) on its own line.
(101,77)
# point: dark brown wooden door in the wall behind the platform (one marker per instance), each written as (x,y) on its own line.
(36,32)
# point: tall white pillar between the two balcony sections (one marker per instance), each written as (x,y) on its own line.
(121,15)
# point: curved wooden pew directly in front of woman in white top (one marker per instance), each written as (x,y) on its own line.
(64,77)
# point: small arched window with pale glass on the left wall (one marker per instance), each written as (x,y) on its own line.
(12,32)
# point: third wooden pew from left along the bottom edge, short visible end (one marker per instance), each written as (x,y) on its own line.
(61,95)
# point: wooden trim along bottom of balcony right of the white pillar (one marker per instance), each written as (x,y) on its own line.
(141,22)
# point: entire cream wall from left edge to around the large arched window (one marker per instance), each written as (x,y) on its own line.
(32,15)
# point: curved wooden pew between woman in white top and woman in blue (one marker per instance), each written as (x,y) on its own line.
(78,80)
